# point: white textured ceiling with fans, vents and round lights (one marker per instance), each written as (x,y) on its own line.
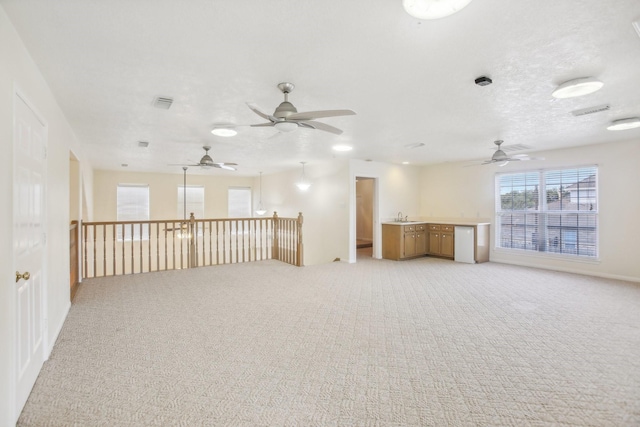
(409,81)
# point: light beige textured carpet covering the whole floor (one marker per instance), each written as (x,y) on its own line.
(379,343)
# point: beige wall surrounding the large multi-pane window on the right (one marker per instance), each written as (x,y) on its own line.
(453,190)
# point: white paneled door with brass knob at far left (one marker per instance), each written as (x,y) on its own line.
(28,246)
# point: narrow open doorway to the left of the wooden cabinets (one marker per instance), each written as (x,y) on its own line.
(365,196)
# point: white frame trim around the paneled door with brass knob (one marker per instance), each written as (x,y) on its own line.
(19,95)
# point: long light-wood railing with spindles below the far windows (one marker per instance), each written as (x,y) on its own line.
(128,247)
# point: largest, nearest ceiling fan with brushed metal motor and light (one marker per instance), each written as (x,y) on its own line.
(286,117)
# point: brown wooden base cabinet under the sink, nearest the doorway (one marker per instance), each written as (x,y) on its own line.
(403,241)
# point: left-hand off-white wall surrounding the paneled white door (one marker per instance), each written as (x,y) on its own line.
(19,73)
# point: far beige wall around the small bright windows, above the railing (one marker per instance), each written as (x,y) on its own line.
(163,192)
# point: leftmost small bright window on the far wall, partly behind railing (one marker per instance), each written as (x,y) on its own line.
(133,205)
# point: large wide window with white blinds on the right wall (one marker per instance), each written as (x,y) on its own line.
(552,211)
